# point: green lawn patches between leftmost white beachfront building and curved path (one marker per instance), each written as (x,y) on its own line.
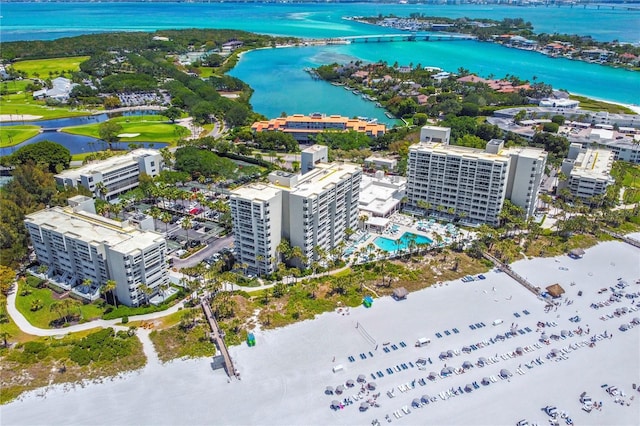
(43,317)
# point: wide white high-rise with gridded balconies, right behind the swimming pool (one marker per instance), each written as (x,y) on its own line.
(472,184)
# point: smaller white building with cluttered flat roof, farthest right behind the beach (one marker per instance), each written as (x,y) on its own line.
(588,171)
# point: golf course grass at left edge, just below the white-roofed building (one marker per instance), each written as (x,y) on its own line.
(23,104)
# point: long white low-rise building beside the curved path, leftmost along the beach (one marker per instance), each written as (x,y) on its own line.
(78,247)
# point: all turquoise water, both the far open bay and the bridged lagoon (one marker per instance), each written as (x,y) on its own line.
(277,75)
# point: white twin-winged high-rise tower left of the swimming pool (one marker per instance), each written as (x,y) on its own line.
(309,210)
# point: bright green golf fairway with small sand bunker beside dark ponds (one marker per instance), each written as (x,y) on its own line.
(151,128)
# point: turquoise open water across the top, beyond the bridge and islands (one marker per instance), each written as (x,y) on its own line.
(48,20)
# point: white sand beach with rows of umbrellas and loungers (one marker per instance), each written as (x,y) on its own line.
(285,375)
